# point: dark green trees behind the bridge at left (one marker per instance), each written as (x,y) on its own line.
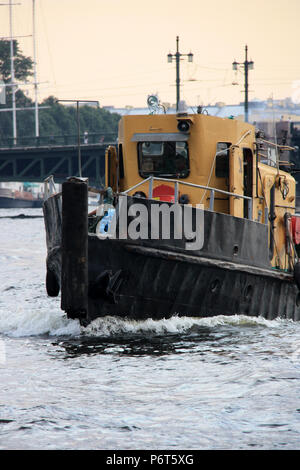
(57,122)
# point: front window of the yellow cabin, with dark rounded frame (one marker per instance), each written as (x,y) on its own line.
(166,159)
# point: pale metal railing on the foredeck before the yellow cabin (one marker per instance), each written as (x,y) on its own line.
(151,179)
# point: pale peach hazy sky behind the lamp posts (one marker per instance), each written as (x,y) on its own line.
(115,51)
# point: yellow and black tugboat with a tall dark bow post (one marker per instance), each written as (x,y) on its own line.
(197,218)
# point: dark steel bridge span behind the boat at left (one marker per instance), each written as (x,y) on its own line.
(41,158)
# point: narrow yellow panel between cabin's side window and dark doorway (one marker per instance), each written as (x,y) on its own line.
(236,181)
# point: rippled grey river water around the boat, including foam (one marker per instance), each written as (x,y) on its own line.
(183,383)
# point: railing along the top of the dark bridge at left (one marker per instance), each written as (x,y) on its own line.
(58,140)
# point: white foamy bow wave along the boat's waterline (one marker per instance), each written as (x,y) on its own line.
(50,320)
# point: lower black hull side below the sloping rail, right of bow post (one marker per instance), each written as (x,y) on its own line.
(146,283)
